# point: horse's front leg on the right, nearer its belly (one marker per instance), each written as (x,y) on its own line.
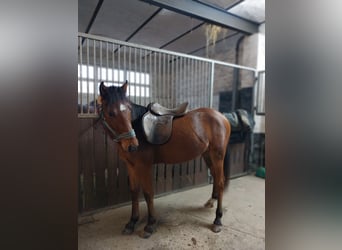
(149,194)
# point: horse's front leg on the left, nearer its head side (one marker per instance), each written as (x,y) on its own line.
(129,228)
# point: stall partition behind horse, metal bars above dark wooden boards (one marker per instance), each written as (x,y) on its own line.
(154,75)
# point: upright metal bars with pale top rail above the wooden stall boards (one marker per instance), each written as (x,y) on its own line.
(153,74)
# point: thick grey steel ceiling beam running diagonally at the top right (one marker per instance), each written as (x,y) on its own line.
(208,14)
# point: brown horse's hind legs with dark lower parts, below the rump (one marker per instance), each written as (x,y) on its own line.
(214,161)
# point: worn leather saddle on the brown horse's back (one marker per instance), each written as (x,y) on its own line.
(157,122)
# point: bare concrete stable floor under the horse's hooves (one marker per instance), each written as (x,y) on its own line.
(184,223)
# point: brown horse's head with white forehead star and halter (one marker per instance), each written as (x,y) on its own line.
(116,115)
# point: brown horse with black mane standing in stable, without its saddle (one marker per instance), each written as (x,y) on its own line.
(201,131)
